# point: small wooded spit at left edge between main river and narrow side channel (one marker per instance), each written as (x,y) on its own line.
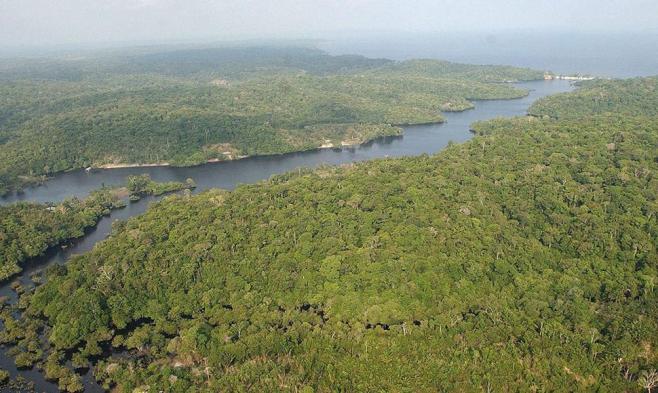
(28,229)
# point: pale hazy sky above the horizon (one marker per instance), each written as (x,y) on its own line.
(61,22)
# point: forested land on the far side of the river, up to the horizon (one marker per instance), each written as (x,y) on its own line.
(190,106)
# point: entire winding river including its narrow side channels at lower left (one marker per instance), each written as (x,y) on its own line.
(416,140)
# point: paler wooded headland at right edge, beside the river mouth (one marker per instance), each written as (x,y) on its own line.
(638,96)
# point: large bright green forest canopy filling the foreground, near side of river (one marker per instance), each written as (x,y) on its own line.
(525,259)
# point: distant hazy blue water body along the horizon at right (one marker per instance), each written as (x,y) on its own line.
(619,55)
